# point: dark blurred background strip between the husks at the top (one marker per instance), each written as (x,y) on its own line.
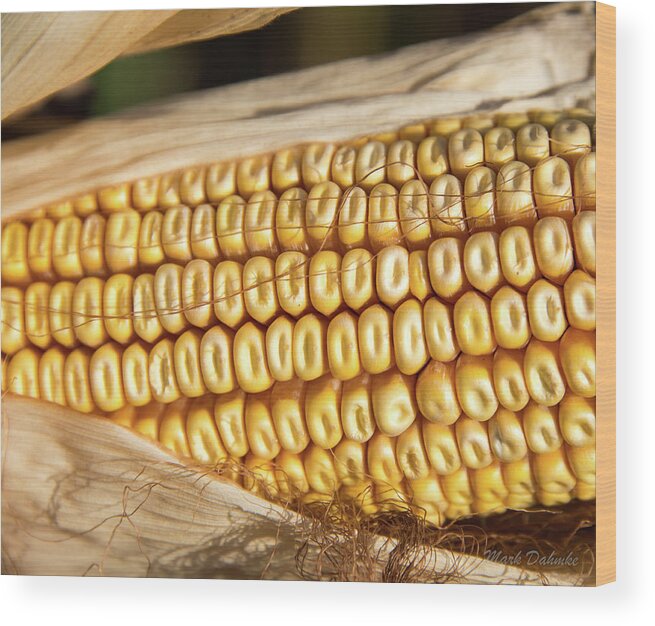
(299,39)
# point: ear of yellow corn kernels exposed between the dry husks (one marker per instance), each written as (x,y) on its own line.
(407,320)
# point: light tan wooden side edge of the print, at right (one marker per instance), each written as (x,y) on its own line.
(606,293)
